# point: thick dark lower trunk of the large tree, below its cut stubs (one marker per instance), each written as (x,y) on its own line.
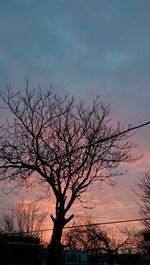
(55,247)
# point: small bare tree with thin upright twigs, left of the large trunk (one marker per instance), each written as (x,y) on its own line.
(24,219)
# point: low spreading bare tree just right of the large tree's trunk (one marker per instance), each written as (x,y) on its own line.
(98,240)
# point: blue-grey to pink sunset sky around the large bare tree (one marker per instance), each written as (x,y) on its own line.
(85,48)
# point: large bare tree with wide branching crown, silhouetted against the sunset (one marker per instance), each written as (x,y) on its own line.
(66,144)
